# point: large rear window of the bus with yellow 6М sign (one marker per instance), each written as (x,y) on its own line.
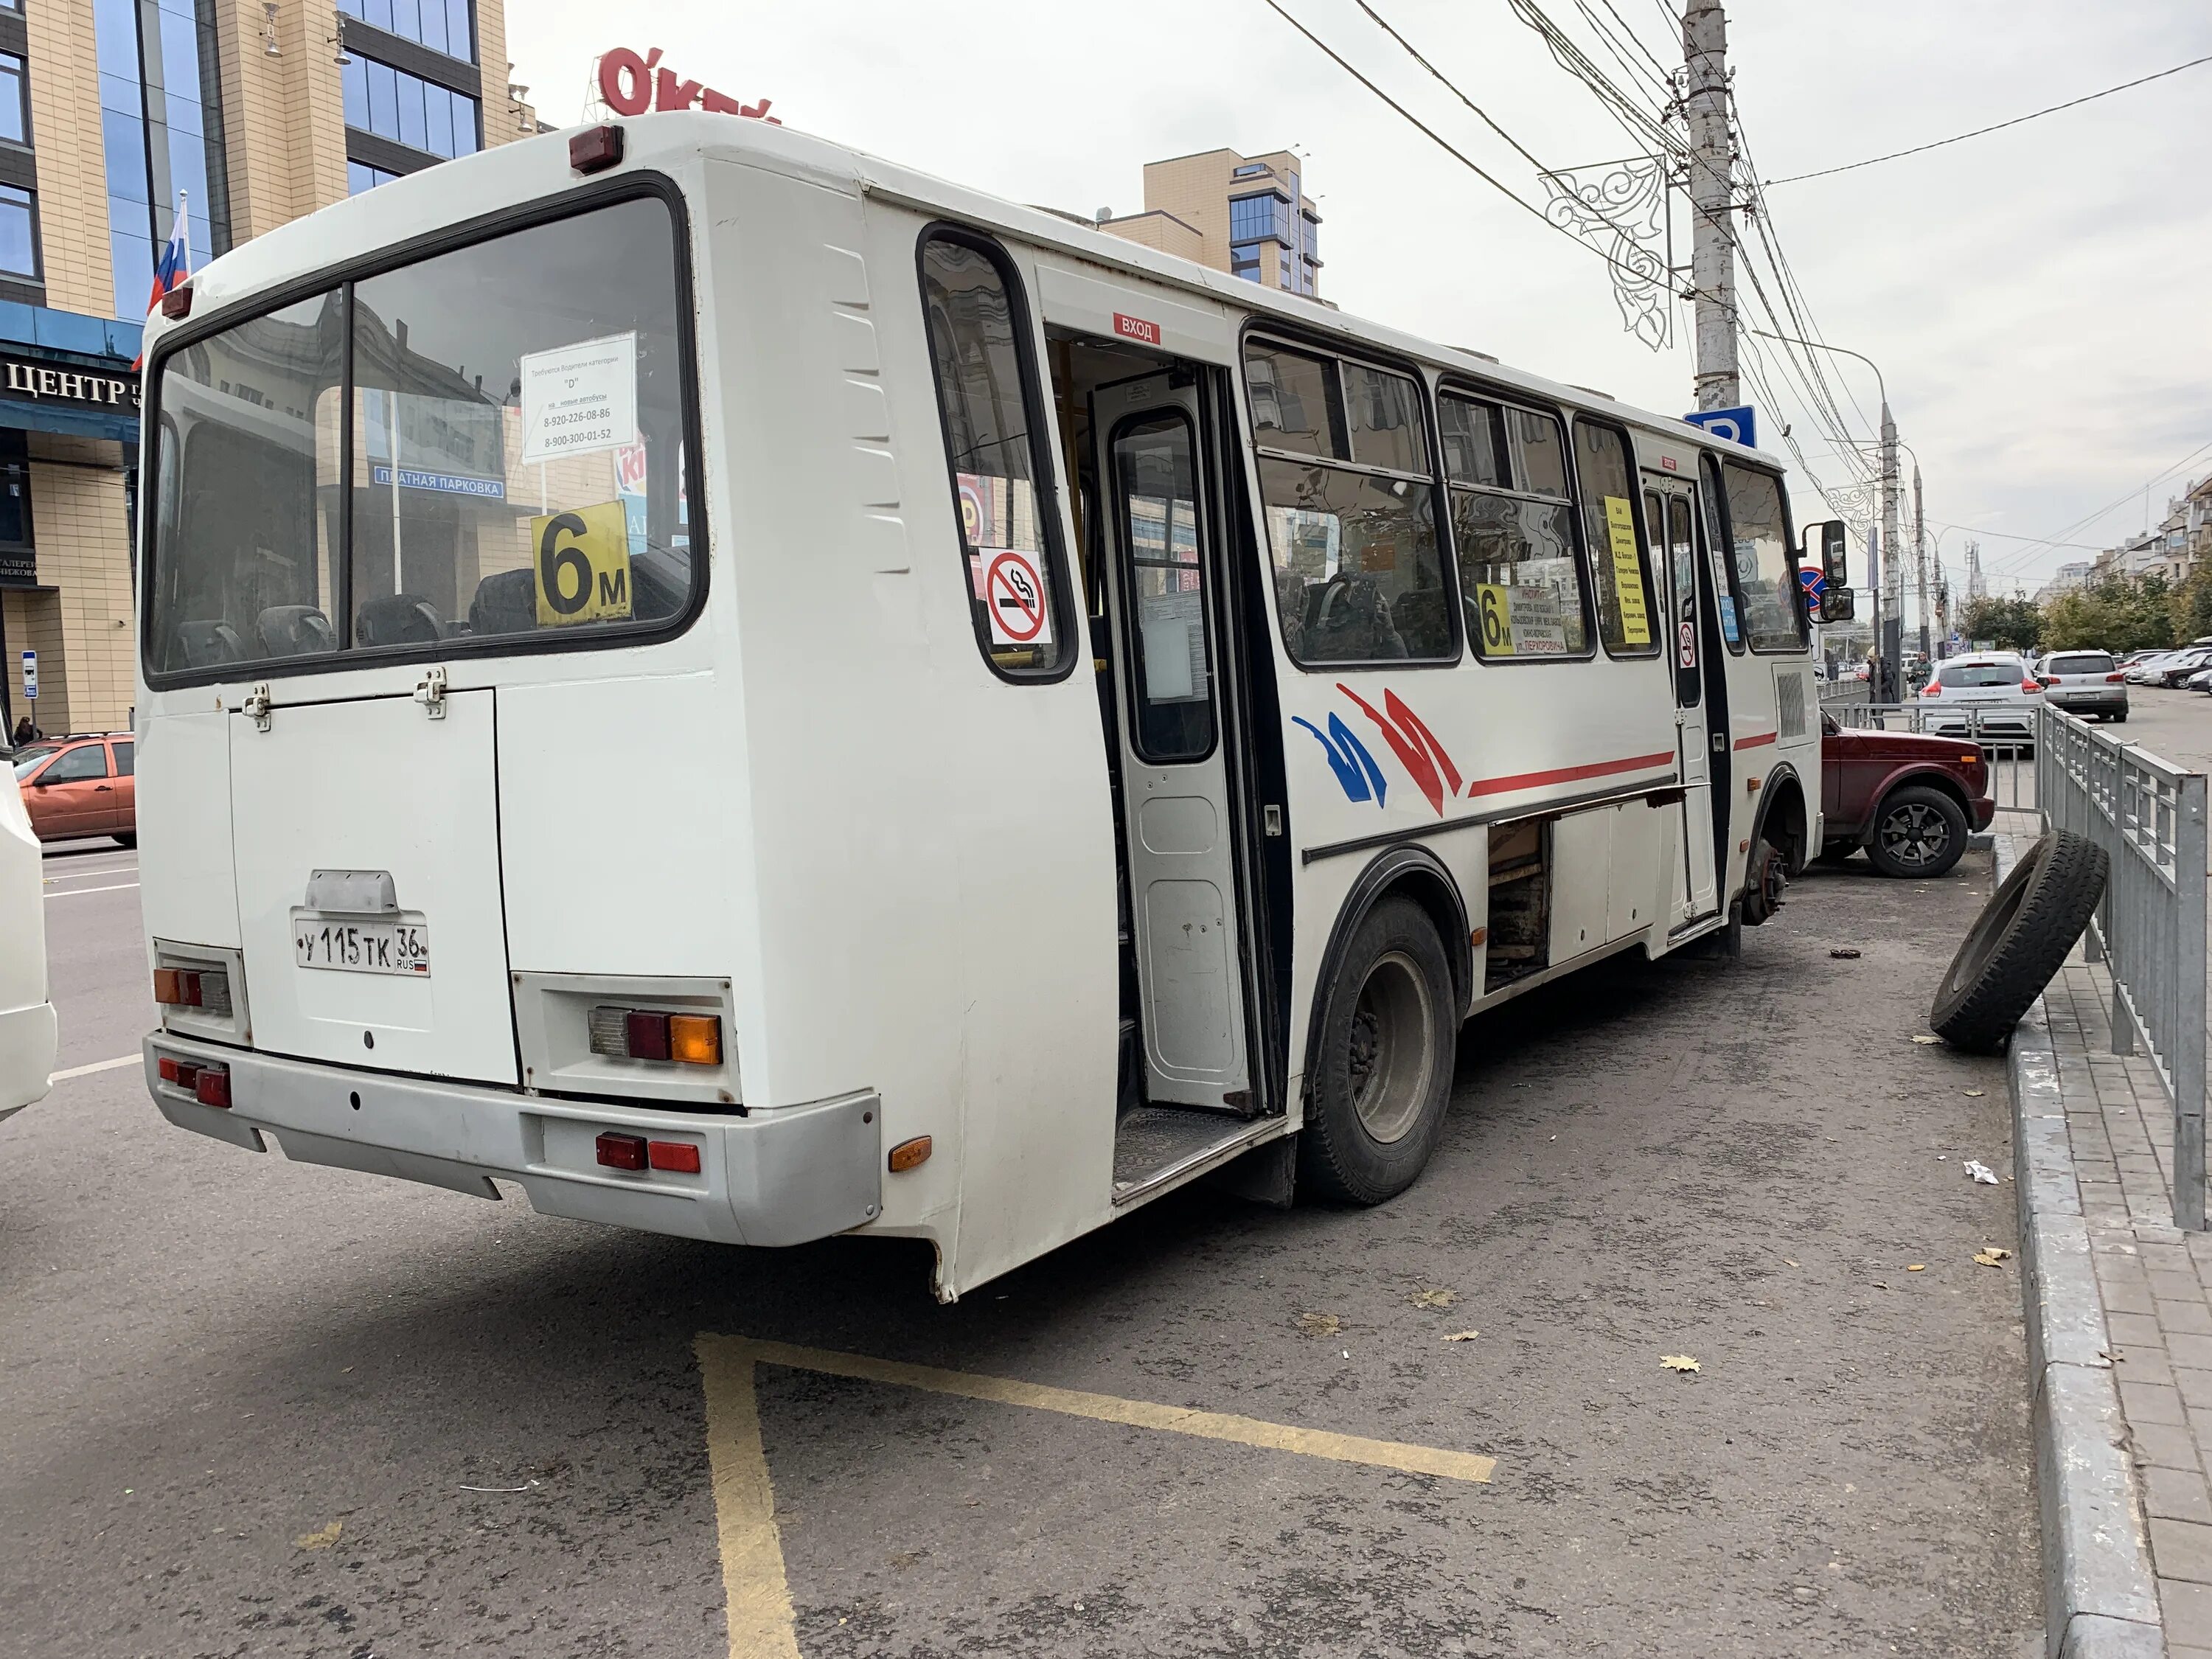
(514,424)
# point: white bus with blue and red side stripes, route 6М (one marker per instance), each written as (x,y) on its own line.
(758,696)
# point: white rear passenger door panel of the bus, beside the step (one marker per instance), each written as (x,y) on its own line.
(1176,802)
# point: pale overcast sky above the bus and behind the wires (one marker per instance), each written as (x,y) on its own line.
(2038,300)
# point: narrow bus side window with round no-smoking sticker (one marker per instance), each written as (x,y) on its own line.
(994,444)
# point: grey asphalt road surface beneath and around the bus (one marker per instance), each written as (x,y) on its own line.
(244,1401)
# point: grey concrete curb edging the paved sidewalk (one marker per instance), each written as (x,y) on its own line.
(2100,1600)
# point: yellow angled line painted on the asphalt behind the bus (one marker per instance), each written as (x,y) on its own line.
(747,1503)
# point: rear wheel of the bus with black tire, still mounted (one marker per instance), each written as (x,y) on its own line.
(1381,1061)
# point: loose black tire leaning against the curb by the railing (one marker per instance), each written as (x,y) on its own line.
(2018,941)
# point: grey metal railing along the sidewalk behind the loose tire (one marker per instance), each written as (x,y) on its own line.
(2151,928)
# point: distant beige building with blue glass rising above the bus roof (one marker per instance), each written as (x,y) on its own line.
(1238,213)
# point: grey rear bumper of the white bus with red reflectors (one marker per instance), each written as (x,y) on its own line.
(775,1178)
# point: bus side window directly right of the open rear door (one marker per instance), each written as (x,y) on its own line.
(1344,472)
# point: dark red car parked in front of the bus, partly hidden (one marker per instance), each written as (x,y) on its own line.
(1908,800)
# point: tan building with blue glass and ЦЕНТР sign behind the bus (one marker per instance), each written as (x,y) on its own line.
(112,114)
